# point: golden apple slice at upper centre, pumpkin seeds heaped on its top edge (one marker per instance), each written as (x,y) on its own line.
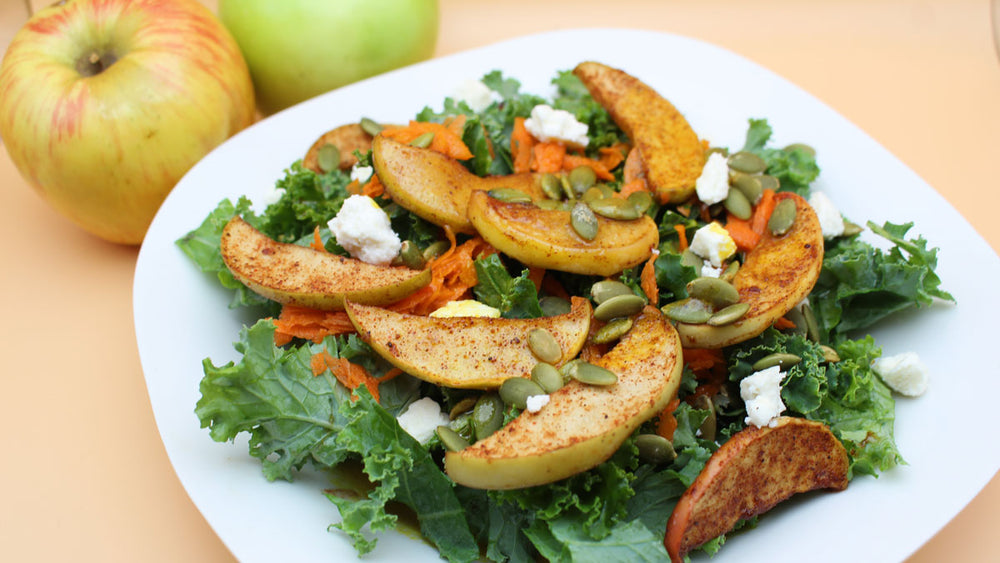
(544,238)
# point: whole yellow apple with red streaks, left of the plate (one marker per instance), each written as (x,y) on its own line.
(105,104)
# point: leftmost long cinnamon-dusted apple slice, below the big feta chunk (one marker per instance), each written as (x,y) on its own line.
(298,275)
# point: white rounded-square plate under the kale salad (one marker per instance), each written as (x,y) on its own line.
(181,316)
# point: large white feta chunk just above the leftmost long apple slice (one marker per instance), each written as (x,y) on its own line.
(363,229)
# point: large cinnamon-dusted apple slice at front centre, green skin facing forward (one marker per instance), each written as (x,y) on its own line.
(582,425)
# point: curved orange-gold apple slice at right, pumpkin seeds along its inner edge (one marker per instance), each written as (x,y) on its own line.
(777,274)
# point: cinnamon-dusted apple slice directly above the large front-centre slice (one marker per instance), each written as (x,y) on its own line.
(466,352)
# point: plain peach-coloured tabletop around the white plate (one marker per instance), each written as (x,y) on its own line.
(84,476)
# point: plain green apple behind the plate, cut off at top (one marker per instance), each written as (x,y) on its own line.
(297,49)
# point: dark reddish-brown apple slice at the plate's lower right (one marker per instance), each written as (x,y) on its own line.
(755,470)
